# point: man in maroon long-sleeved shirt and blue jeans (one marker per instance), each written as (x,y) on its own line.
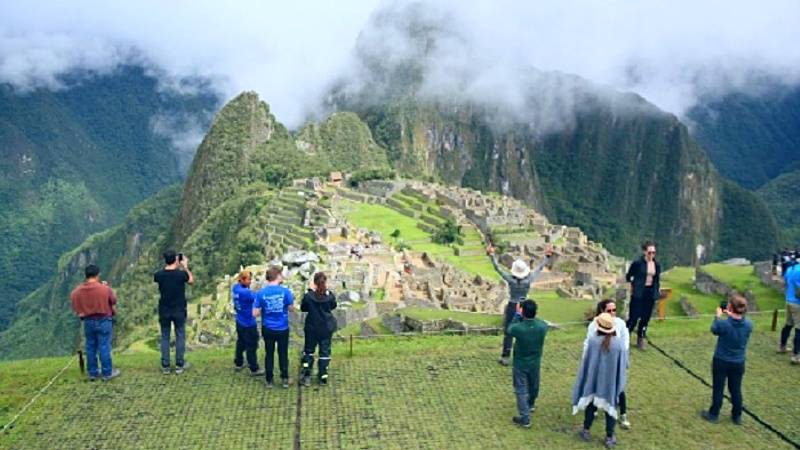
(94,302)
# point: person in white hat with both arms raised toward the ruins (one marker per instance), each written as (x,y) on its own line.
(519,285)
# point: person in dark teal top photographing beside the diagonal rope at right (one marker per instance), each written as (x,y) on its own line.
(729,357)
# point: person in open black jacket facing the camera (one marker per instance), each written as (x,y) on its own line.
(644,275)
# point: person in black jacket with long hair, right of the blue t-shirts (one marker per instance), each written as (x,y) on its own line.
(320,324)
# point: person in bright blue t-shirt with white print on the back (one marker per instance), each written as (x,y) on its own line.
(273,304)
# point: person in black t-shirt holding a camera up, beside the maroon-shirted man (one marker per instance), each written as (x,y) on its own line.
(172,280)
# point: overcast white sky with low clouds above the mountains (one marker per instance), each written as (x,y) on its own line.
(672,52)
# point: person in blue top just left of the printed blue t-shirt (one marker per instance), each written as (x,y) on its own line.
(246,325)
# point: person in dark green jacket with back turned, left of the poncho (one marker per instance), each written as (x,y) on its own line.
(528,333)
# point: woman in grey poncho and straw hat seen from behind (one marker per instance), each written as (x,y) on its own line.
(601,378)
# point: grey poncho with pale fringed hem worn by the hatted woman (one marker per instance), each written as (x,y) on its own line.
(601,376)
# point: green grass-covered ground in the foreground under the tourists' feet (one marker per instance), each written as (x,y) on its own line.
(397,393)
